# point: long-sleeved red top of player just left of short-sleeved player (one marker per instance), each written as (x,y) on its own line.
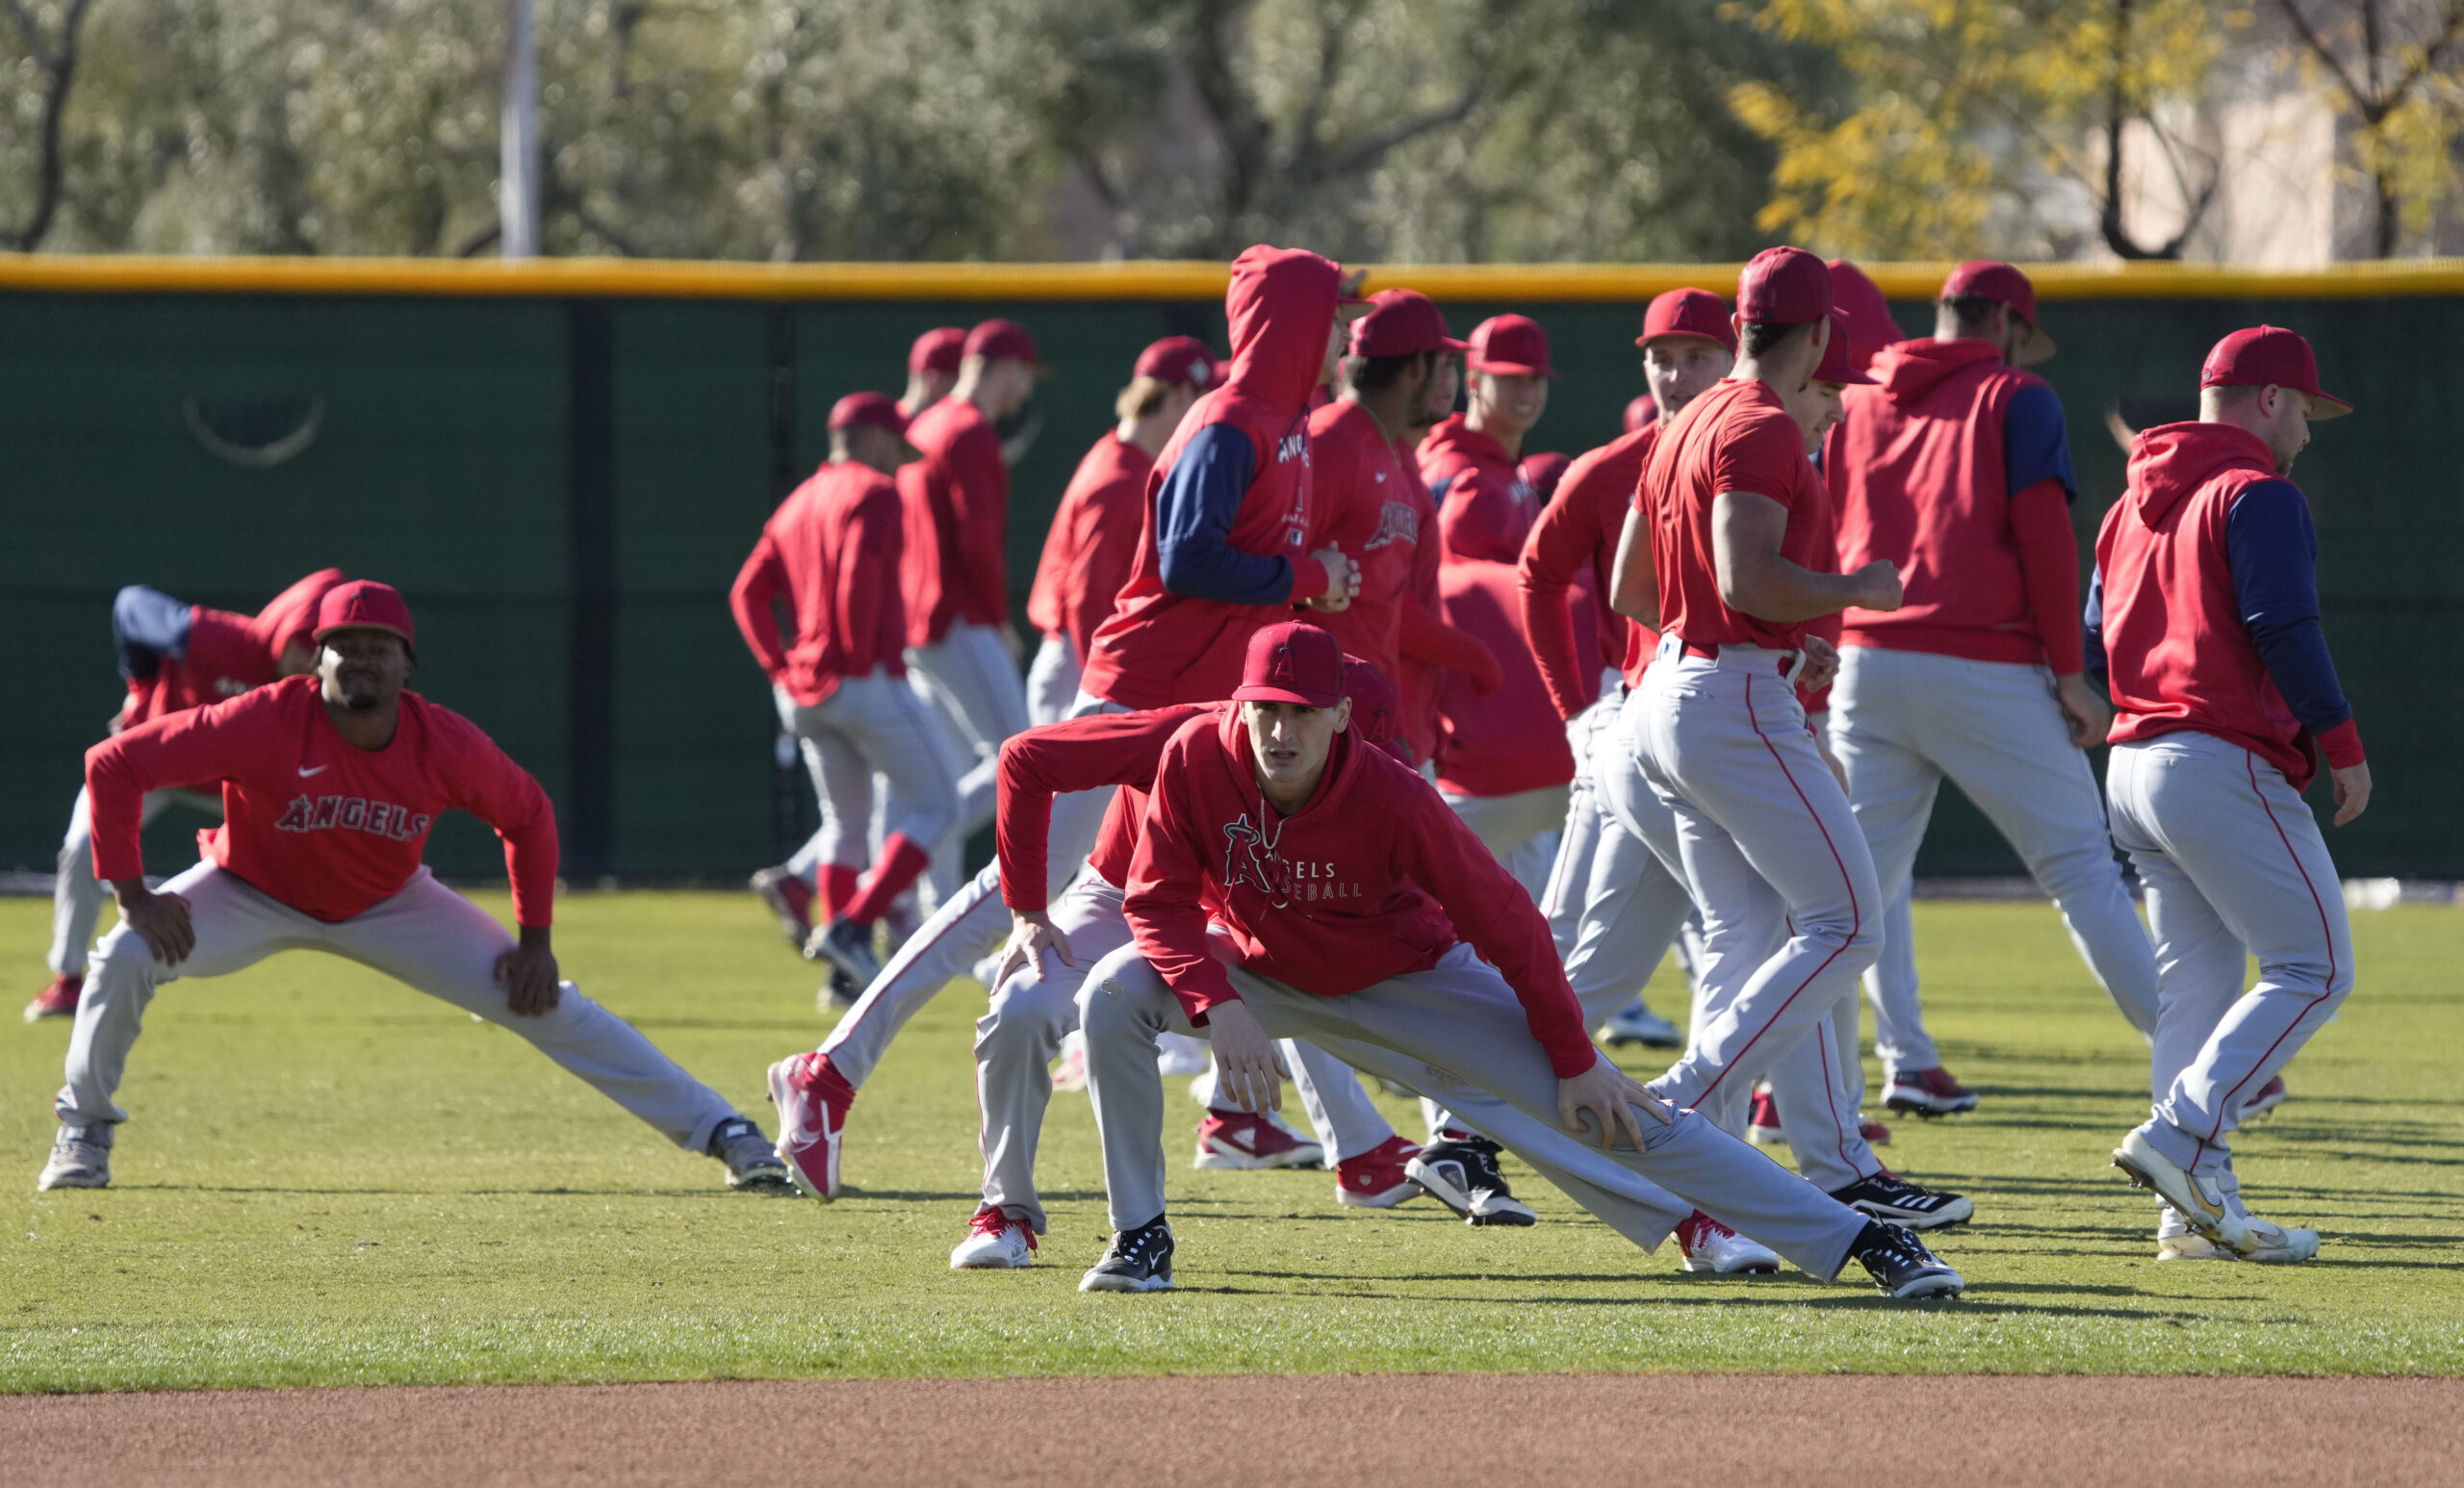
(1571,558)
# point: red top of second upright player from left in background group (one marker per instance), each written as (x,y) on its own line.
(960,496)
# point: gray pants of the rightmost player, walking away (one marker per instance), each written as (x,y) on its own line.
(2234,866)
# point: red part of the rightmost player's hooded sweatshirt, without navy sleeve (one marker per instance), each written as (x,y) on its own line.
(2172,615)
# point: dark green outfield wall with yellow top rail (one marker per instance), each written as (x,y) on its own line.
(563,467)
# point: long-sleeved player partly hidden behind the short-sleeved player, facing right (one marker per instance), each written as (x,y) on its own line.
(1613,903)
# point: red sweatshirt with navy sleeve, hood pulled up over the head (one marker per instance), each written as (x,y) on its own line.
(1226,524)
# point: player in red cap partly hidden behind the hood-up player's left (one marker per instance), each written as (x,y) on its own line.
(1095,533)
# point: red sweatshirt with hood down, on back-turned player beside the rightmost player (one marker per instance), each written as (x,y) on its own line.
(1923,477)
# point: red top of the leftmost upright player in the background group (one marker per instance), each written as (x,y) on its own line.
(832,551)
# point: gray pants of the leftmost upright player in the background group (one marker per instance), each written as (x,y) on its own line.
(871,726)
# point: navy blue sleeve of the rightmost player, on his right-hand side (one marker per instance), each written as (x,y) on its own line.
(2276,585)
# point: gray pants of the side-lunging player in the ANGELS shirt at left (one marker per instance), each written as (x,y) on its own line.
(425,937)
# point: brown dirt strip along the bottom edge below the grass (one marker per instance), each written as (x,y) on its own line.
(1352,1430)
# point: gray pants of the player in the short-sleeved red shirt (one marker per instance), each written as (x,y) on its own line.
(1768,839)
